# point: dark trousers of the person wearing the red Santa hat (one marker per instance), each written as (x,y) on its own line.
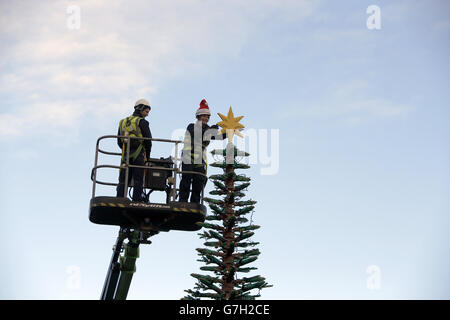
(188,179)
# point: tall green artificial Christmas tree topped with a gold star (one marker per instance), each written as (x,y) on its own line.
(228,247)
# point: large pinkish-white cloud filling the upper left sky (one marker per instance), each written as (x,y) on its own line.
(51,75)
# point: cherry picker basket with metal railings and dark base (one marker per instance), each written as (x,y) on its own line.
(161,175)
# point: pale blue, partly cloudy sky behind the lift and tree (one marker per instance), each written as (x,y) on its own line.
(346,113)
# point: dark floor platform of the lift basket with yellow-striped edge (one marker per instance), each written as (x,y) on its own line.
(123,212)
